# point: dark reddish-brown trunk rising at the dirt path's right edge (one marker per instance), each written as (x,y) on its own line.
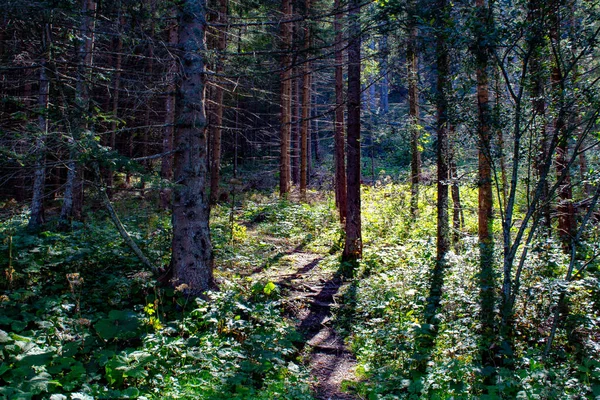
(353,245)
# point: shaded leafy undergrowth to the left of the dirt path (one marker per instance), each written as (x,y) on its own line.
(80,318)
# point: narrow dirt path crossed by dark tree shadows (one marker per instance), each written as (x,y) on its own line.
(311,292)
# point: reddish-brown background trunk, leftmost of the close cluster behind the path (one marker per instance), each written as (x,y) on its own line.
(286,99)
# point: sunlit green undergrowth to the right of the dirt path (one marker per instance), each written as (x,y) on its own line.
(382,312)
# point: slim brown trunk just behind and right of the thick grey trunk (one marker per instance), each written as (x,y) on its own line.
(218,106)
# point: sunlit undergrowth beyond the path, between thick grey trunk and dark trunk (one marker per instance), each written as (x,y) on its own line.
(263,229)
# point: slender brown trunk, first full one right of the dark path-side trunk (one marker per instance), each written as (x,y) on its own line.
(412,61)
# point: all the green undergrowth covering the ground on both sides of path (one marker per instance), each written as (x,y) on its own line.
(80,317)
